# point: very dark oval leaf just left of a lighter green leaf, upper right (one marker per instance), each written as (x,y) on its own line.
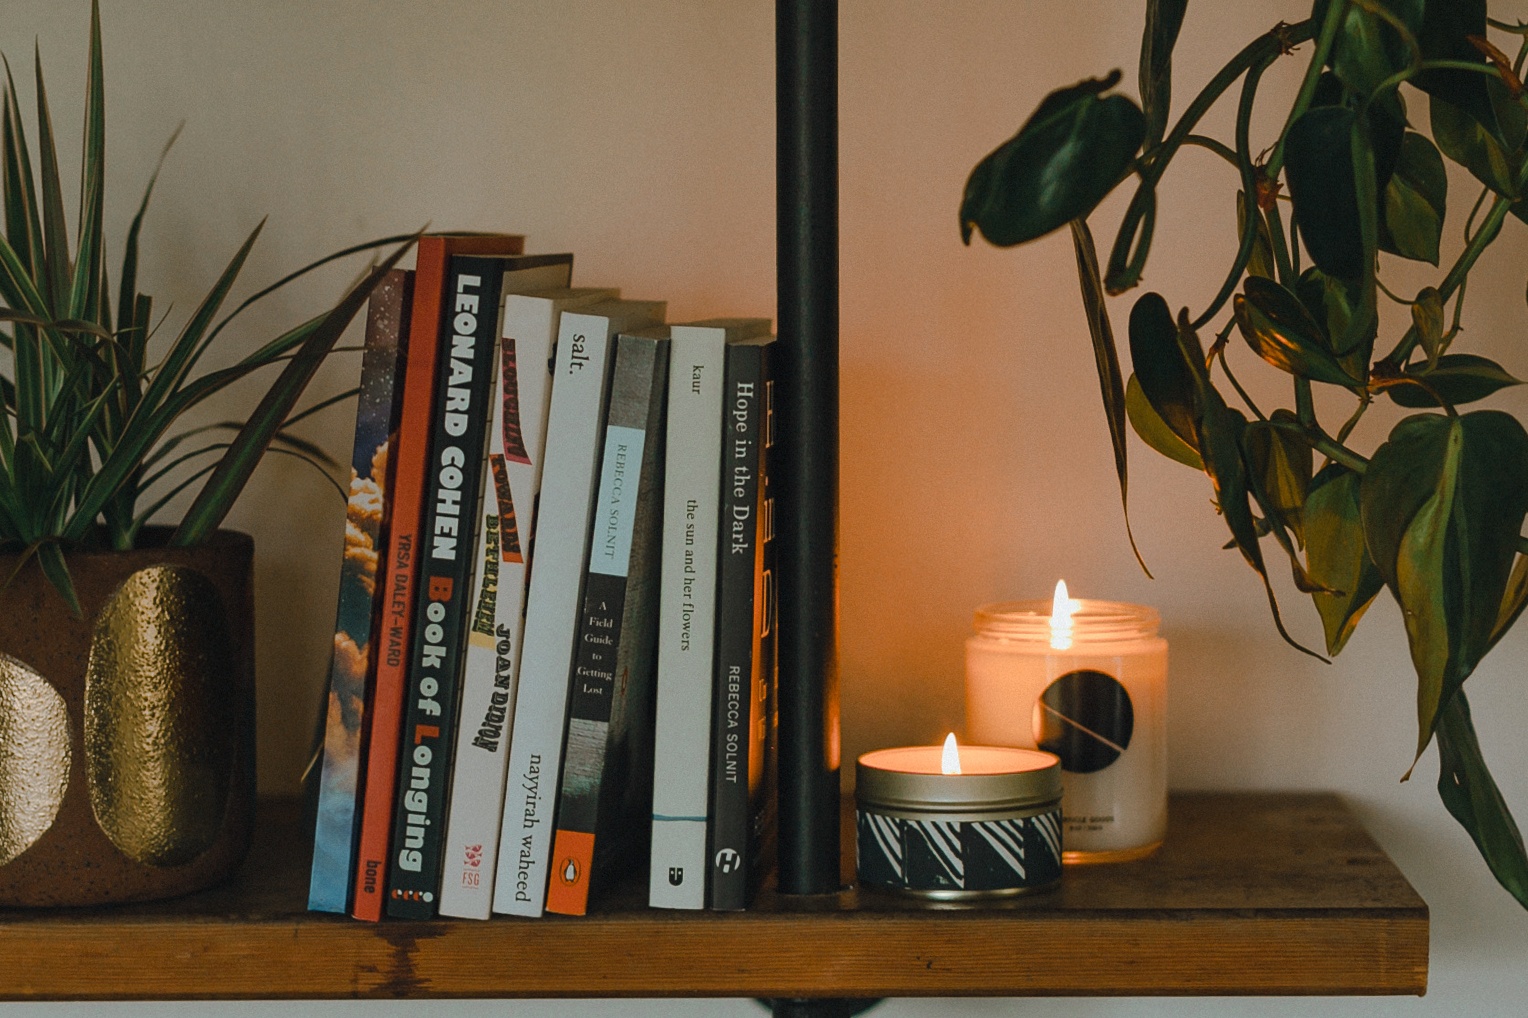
(1319,166)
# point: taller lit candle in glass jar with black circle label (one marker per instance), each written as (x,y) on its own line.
(1089,682)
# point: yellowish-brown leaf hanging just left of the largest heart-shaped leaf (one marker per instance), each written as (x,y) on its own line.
(1336,556)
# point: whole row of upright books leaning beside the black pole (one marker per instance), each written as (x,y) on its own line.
(554,652)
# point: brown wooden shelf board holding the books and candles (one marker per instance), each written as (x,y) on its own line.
(1254,893)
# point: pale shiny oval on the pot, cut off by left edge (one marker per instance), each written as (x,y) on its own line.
(34,757)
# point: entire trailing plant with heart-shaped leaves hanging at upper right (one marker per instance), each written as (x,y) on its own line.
(1347,186)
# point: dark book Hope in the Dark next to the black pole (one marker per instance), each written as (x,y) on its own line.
(743,712)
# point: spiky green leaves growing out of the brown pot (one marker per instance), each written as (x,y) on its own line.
(92,397)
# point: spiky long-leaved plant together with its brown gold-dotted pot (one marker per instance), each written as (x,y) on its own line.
(126,650)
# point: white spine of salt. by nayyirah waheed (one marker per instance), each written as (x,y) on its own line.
(536,750)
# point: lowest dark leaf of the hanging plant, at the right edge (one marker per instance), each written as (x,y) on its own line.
(1471,794)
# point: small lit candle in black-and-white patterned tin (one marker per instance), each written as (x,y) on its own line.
(959,822)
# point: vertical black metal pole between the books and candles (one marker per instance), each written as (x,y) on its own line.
(808,441)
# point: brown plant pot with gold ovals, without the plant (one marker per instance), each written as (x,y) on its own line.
(158,686)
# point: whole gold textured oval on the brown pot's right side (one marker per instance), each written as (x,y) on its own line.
(160,716)
